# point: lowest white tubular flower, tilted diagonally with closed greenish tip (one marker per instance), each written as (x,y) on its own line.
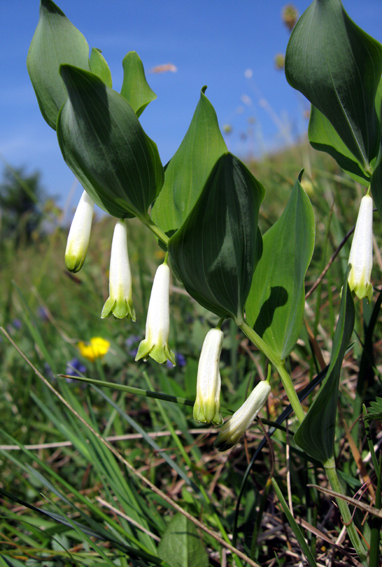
(237,425)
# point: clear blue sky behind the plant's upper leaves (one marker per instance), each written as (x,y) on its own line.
(211,43)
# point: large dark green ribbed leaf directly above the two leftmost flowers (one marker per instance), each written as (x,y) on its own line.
(105,146)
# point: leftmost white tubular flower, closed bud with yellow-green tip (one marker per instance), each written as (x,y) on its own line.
(79,234)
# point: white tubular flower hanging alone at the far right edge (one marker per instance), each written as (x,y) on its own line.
(361,252)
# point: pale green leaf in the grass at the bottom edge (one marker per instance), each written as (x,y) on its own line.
(181,545)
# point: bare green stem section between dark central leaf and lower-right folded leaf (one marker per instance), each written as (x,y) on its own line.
(280,367)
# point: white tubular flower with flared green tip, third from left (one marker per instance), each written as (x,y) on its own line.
(158,320)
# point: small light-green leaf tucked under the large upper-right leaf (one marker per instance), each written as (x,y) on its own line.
(324,138)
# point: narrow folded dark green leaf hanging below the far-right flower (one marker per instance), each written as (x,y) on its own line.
(316,433)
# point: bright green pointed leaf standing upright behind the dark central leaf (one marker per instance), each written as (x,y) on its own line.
(188,170)
